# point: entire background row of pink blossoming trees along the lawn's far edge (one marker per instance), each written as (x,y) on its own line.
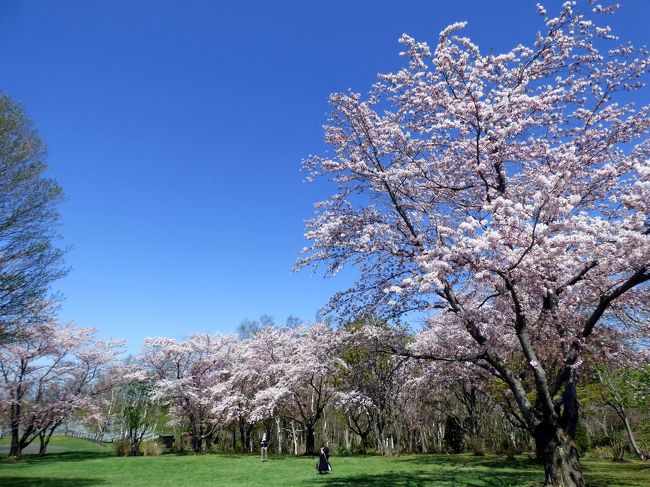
(359,388)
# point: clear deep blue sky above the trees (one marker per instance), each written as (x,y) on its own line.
(176,129)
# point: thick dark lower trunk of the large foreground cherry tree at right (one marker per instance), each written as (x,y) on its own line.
(559,456)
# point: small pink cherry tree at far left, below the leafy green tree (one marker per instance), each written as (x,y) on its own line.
(51,372)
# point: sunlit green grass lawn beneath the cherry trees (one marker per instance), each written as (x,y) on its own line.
(78,463)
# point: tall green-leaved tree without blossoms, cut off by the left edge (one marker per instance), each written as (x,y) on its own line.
(29,262)
